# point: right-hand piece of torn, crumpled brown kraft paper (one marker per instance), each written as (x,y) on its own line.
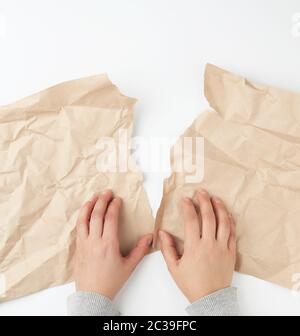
(252,161)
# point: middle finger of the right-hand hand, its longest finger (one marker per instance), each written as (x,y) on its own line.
(207,215)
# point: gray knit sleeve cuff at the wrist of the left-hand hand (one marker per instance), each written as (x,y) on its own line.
(90,304)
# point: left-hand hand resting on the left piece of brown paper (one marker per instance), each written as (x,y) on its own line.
(99,265)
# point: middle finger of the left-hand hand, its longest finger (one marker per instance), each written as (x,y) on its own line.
(98,213)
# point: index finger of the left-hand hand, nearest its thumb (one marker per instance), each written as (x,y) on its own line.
(111,220)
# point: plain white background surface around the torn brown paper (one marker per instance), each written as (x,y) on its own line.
(155,51)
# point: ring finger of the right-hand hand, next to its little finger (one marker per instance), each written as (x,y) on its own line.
(223,221)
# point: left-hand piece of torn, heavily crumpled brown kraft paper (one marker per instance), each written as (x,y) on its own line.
(48,155)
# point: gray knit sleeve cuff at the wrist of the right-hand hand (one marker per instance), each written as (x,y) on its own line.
(221,303)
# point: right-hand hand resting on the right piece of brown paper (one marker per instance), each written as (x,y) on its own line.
(208,260)
